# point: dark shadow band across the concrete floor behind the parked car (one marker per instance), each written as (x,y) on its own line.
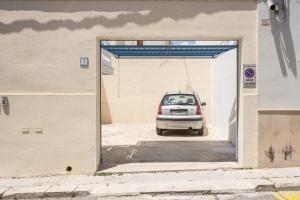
(168,151)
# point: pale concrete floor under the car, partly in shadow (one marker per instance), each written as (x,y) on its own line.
(137,147)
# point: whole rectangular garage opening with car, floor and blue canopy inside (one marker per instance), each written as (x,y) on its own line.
(168,105)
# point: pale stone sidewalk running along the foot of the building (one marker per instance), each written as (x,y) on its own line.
(106,184)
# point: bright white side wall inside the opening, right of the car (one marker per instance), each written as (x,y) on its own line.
(224,95)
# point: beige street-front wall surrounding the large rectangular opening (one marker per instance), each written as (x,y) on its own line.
(40,46)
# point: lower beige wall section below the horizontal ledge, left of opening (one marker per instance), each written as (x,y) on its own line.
(57,147)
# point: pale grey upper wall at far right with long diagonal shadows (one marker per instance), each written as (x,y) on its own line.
(279,56)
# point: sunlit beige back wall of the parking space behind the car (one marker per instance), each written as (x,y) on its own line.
(132,94)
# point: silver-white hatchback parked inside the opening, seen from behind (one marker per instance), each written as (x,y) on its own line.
(180,111)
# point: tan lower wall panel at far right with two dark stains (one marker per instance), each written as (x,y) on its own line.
(279,136)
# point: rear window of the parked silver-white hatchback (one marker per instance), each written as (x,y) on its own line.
(179,99)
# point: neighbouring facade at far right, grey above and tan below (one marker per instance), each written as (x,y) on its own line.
(279,91)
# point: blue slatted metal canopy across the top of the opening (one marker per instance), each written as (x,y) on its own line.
(125,51)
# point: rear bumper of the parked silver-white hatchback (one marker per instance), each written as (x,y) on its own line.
(179,122)
